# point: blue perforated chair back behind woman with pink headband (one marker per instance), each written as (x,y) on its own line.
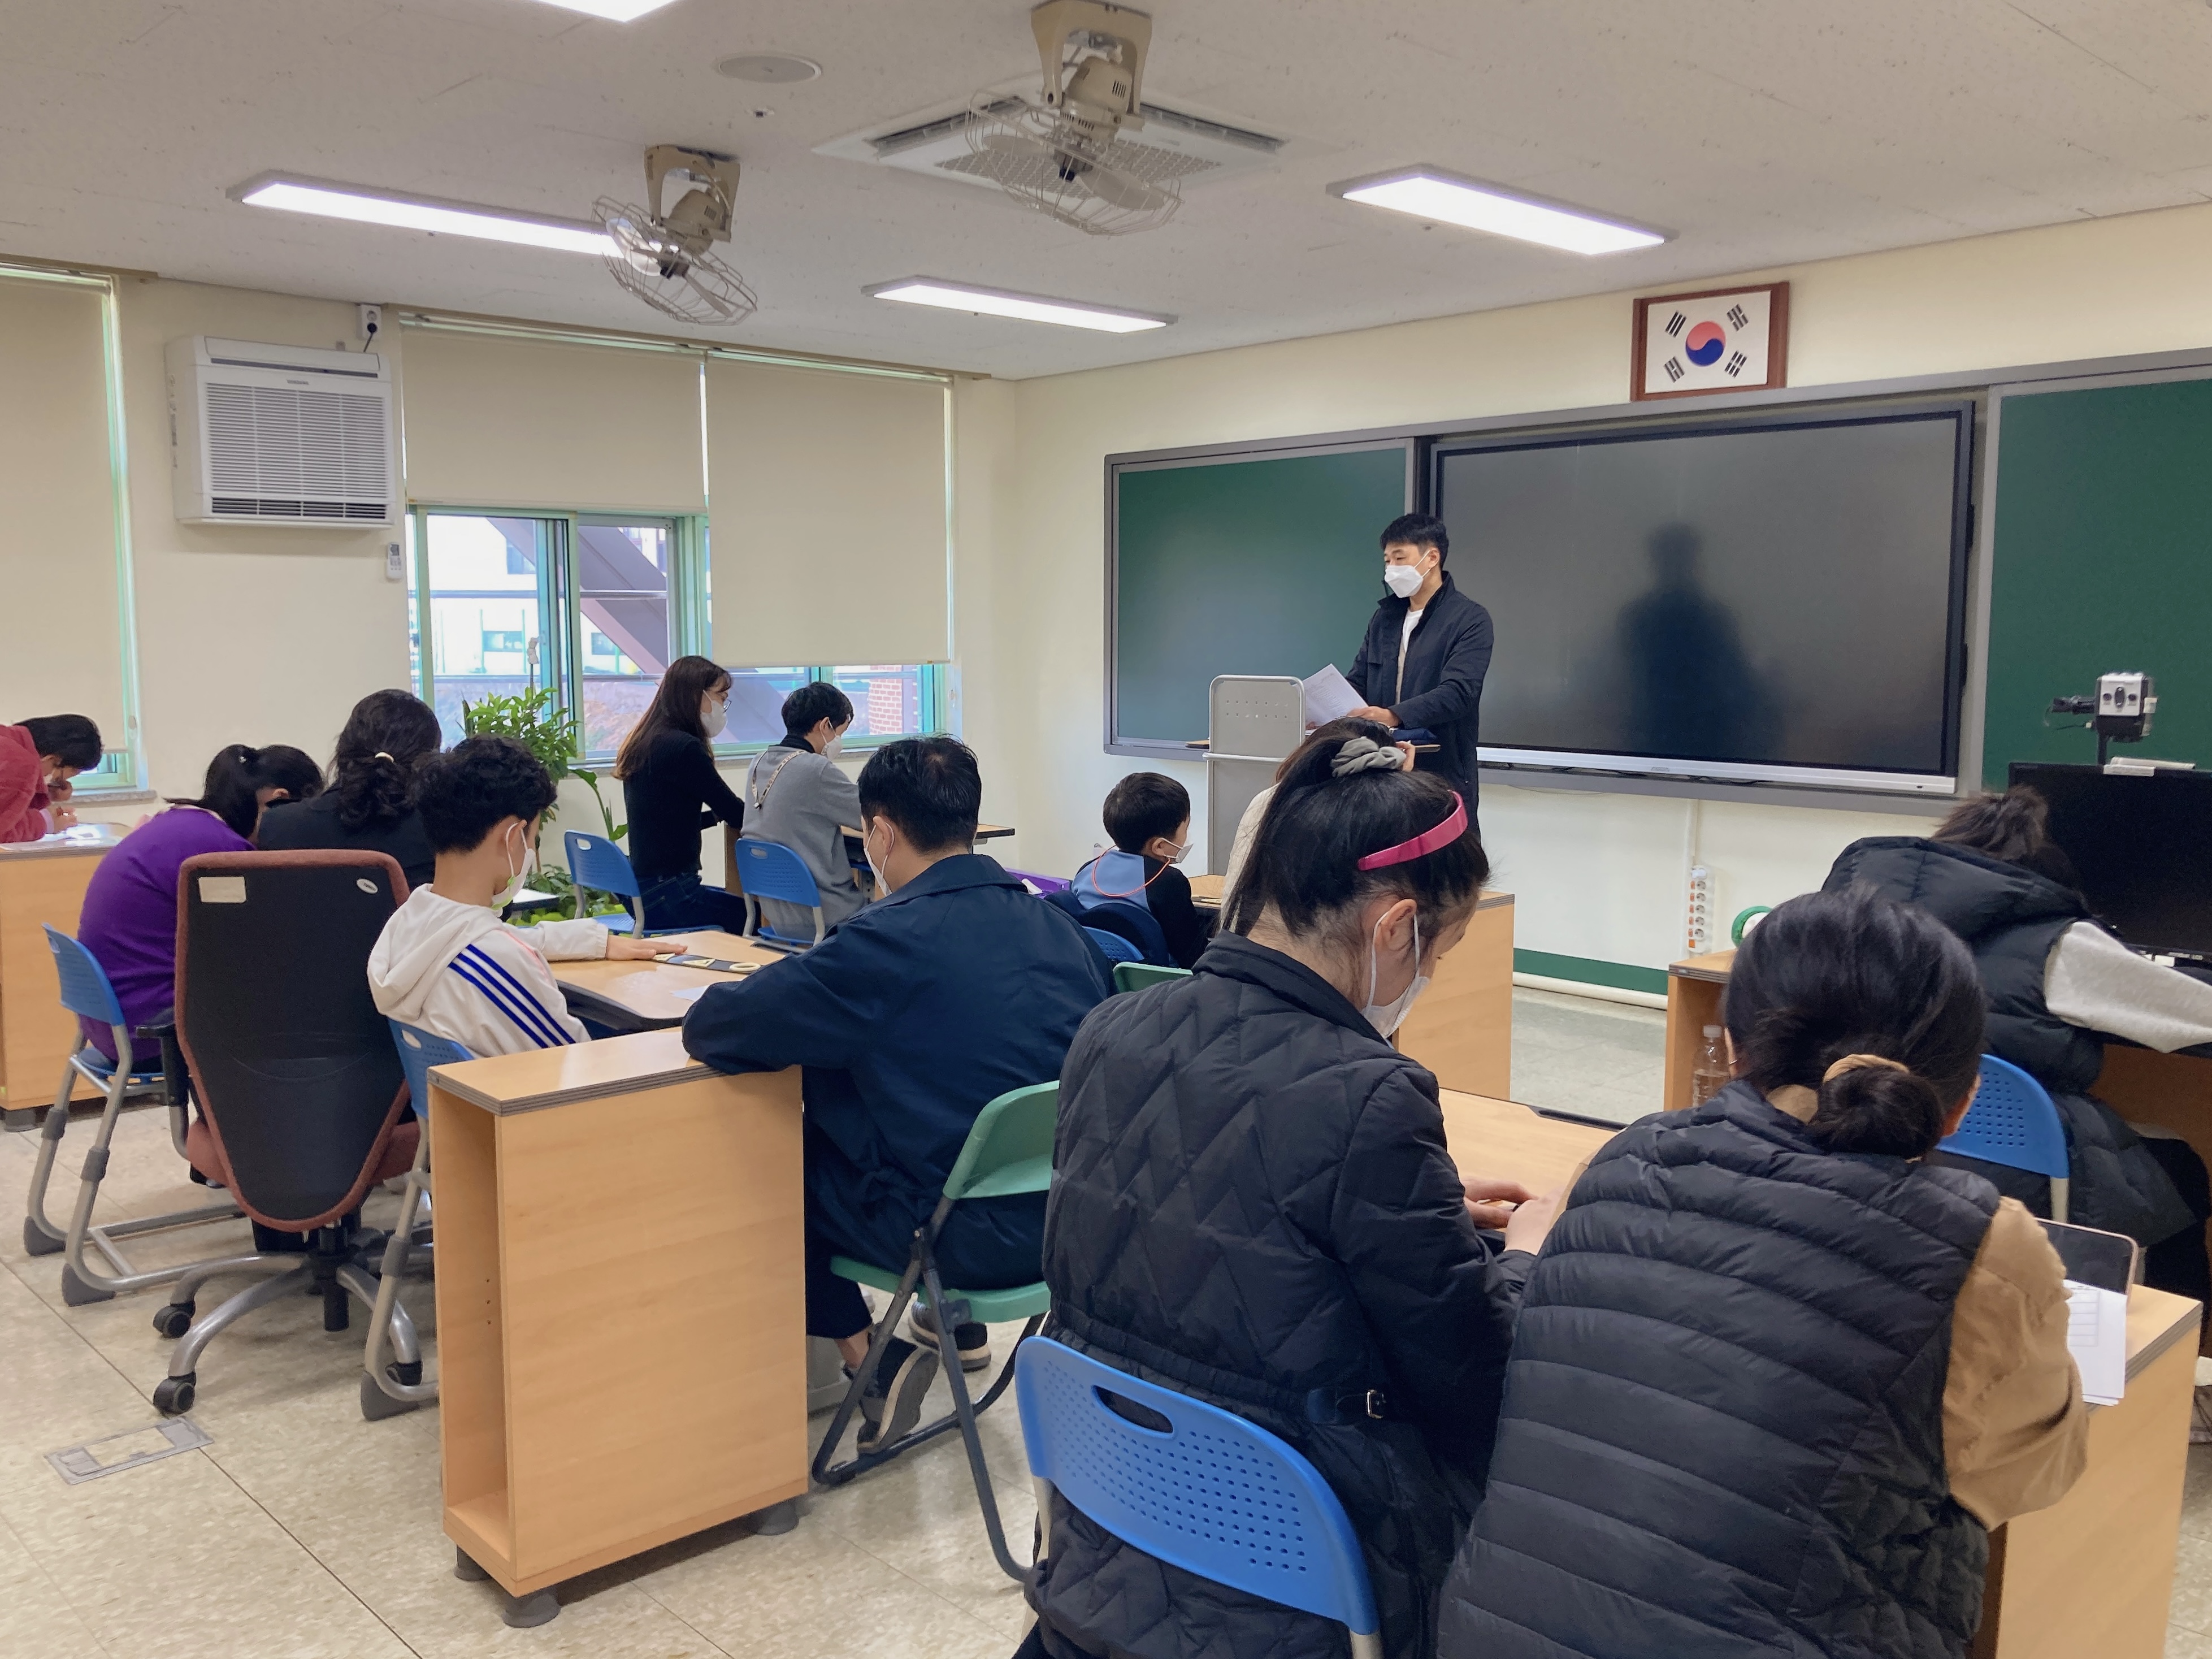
(1211,1494)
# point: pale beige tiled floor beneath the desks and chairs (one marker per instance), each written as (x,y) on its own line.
(306,1534)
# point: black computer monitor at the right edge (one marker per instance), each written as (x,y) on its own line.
(2142,844)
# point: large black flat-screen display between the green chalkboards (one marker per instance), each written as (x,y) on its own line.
(1766,601)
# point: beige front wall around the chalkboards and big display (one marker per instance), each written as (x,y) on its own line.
(1598,875)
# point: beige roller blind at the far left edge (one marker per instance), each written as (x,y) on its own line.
(59,532)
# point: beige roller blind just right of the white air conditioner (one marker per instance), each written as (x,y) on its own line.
(497,421)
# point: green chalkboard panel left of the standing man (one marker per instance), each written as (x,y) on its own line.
(1266,565)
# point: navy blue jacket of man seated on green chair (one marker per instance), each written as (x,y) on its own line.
(912,1016)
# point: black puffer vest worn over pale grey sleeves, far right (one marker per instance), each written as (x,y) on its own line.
(2010,919)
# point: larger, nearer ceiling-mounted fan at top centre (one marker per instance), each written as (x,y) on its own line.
(1063,154)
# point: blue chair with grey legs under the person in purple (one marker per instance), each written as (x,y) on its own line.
(87,994)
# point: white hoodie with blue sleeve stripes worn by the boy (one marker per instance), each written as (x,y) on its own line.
(468,977)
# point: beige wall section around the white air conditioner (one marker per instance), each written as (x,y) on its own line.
(247,634)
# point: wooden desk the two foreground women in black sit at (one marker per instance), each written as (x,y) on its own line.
(2091,1574)
